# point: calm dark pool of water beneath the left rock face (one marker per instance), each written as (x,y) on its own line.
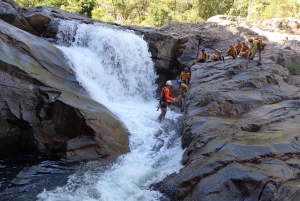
(24,175)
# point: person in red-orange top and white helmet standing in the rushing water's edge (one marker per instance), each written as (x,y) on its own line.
(165,99)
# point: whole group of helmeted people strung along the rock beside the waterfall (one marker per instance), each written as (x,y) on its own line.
(239,50)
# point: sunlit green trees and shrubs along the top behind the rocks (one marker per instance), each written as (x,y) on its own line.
(160,12)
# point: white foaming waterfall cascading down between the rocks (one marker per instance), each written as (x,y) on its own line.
(116,69)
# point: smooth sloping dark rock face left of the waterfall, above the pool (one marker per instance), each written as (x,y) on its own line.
(43,107)
